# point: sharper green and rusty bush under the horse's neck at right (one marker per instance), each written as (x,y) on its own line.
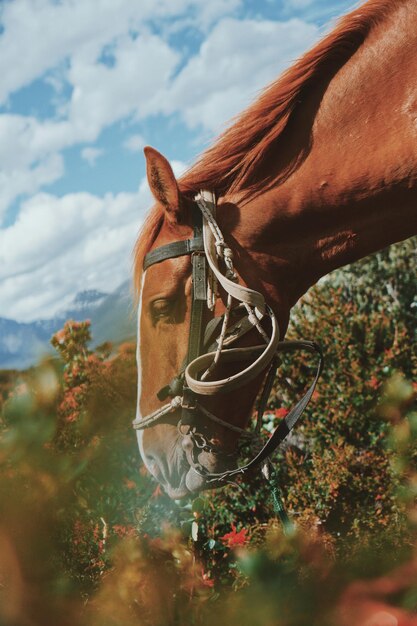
(364,318)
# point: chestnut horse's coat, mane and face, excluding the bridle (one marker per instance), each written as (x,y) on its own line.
(319,172)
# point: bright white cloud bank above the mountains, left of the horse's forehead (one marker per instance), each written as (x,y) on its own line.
(60,246)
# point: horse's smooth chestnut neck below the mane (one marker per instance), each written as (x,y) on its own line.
(356,191)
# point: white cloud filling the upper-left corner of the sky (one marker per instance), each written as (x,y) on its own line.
(63,43)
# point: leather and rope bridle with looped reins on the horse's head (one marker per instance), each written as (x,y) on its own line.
(212,266)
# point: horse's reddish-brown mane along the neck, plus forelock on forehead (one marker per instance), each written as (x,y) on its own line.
(232,162)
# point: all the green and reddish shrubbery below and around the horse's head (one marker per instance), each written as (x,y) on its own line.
(86,538)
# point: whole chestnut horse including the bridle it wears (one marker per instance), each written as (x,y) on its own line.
(320,171)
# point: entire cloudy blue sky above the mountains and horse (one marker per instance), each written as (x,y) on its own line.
(85,85)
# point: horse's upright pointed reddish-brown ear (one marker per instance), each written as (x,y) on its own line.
(162,183)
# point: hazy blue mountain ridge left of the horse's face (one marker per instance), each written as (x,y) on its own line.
(111,315)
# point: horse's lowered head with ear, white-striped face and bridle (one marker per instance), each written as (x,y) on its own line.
(193,411)
